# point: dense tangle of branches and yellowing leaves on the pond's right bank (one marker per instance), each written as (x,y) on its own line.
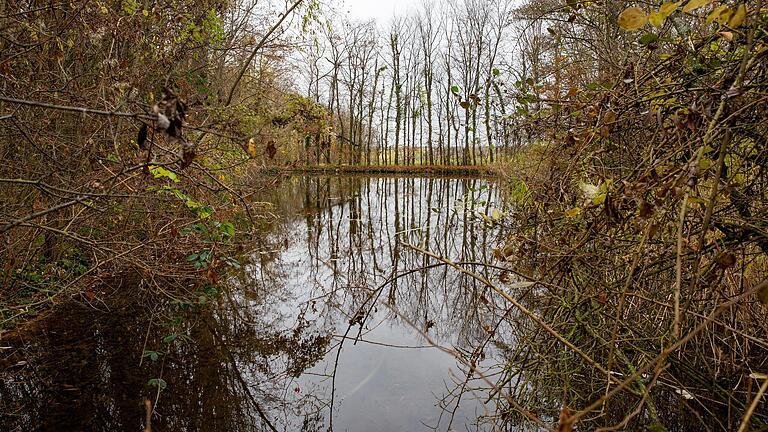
(642,213)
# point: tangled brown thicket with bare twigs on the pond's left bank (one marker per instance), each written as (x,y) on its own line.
(127,131)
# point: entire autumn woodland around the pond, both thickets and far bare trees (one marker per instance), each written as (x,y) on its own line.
(633,136)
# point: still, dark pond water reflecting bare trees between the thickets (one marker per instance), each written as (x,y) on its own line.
(270,352)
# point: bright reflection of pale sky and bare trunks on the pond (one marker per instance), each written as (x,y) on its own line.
(339,241)
